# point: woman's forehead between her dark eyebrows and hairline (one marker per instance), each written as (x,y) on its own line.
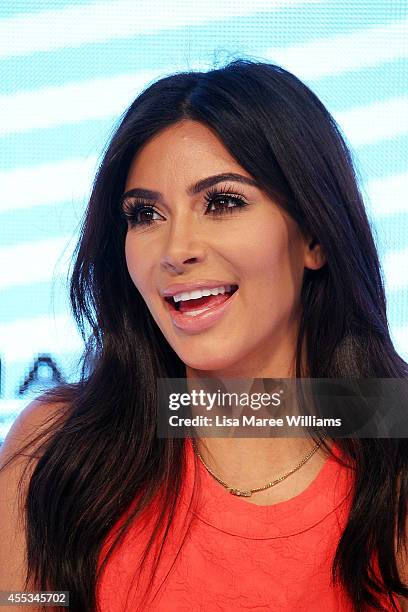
(185,151)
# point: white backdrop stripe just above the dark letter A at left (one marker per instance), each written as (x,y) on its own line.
(25,338)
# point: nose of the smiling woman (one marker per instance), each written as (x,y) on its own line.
(183,246)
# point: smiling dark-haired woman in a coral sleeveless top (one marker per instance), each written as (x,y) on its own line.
(237,178)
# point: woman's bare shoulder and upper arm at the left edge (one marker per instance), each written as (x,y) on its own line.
(16,468)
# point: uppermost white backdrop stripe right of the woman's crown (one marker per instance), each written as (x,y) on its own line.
(335,55)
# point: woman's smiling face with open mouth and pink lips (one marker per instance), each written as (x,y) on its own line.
(223,231)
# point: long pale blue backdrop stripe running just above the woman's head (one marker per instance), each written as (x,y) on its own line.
(248,34)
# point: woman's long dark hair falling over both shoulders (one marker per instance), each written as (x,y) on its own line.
(104,451)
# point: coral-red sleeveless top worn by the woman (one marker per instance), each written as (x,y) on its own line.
(237,555)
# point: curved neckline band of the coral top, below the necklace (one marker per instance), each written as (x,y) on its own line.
(235,515)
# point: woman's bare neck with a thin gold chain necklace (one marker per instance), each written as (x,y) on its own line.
(247,463)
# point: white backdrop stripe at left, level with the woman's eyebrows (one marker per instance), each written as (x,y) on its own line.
(67,181)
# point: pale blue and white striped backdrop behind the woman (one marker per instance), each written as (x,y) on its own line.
(68,70)
